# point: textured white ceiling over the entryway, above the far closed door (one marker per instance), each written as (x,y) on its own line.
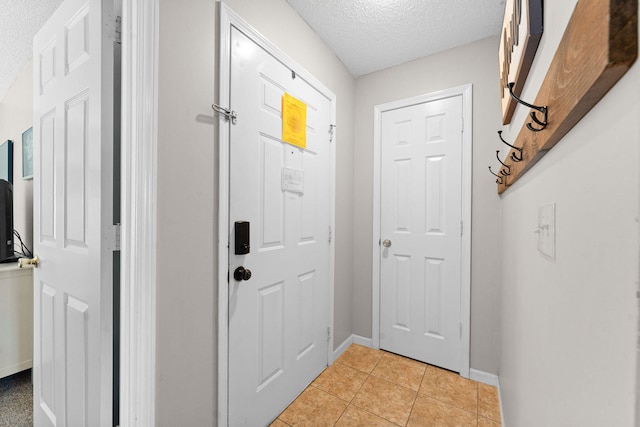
(370,35)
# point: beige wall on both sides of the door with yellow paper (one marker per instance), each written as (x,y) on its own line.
(187,192)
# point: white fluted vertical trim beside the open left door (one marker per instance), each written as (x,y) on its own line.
(138,253)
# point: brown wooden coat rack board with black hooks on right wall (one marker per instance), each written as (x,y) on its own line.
(598,47)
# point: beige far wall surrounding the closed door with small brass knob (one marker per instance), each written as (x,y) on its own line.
(476,64)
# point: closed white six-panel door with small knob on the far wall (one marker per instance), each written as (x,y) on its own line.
(420,230)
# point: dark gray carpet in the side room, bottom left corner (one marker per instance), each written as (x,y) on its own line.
(16,395)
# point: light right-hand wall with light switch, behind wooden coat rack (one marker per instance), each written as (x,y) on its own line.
(569,326)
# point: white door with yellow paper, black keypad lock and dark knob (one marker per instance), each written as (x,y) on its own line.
(279,317)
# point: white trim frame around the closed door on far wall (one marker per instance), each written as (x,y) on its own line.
(466,91)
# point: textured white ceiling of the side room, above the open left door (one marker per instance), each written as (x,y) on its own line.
(20,20)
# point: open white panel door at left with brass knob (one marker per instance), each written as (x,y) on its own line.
(73,211)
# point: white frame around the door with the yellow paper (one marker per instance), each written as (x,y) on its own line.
(229,18)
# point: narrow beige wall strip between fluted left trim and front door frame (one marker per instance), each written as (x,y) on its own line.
(186,258)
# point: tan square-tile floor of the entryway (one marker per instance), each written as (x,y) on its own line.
(366,387)
